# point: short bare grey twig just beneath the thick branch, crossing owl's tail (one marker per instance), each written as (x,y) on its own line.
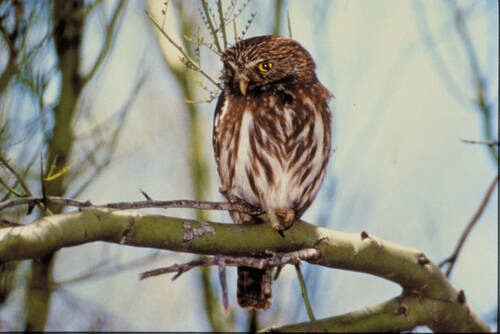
(277,259)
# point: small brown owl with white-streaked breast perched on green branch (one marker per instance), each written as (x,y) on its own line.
(271,140)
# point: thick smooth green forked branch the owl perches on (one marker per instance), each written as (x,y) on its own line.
(428,297)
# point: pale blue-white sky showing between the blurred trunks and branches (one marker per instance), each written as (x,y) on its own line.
(400,170)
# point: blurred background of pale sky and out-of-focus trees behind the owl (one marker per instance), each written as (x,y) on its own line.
(93,87)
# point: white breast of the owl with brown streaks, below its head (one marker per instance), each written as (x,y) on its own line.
(272,154)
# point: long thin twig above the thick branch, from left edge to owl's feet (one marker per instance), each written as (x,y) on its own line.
(202,205)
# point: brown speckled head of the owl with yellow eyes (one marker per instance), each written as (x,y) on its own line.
(266,62)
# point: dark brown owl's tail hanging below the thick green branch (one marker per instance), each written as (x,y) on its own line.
(254,288)
